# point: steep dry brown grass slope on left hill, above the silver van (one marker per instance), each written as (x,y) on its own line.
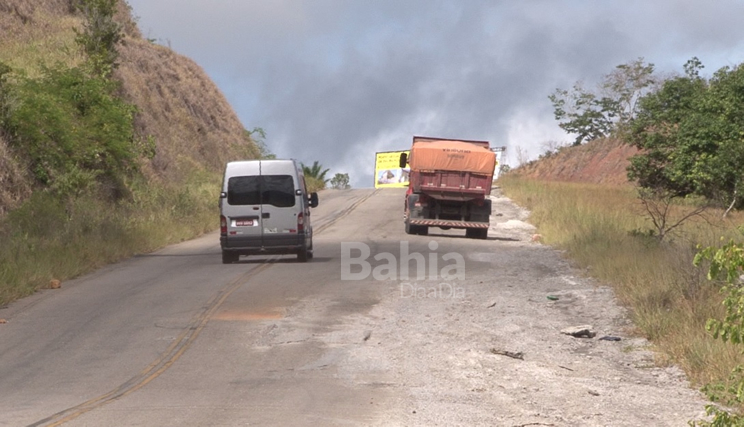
(182,110)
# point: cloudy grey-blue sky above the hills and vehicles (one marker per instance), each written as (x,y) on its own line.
(335,81)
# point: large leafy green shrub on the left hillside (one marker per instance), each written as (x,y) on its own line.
(71,128)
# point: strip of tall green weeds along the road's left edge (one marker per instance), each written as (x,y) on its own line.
(51,239)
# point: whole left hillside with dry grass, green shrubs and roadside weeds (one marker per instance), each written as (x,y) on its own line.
(71,197)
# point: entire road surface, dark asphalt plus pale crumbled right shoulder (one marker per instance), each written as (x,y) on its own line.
(176,338)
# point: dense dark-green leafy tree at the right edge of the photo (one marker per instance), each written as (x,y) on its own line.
(691,133)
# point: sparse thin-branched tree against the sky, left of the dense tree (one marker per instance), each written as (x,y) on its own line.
(589,115)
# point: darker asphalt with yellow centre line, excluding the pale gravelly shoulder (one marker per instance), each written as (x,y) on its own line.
(170,338)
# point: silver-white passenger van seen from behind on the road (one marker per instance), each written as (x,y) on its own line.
(265,209)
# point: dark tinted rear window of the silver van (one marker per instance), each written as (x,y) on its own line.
(277,190)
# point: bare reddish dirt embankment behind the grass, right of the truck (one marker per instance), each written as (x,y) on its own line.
(602,161)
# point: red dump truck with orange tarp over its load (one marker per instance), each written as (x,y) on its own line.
(449,184)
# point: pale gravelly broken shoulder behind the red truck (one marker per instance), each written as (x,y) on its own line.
(495,354)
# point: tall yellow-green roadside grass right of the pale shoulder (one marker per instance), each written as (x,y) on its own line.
(604,229)
